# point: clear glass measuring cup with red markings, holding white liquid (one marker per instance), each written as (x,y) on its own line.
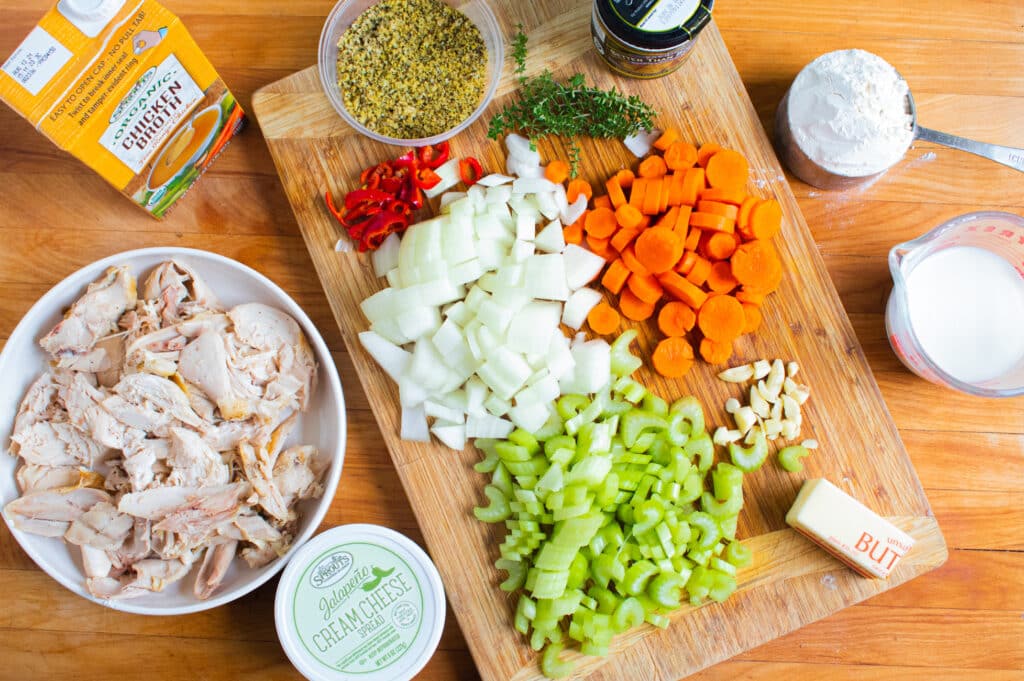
(956,316)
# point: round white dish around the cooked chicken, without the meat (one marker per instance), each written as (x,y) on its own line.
(323,424)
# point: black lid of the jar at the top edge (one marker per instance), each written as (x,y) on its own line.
(624,19)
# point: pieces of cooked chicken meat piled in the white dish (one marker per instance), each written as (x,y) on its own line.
(156,441)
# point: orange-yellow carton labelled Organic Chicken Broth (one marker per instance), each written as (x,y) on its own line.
(121,86)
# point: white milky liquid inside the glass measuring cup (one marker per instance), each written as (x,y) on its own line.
(967,310)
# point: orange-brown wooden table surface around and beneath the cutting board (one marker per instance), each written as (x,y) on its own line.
(963,61)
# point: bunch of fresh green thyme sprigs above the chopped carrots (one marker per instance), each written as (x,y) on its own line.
(572,109)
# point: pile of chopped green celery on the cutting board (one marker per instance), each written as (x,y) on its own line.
(615,512)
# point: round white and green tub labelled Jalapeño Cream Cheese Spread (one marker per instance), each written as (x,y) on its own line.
(362,603)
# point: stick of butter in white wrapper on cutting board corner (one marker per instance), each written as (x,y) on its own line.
(848,530)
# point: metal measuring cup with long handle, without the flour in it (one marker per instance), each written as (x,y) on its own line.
(817,176)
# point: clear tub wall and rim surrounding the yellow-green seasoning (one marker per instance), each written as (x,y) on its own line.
(347,12)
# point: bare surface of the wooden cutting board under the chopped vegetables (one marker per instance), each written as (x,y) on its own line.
(792,582)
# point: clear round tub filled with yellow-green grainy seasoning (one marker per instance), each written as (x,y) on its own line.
(411,72)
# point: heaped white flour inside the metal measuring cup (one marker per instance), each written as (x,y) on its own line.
(848,113)
